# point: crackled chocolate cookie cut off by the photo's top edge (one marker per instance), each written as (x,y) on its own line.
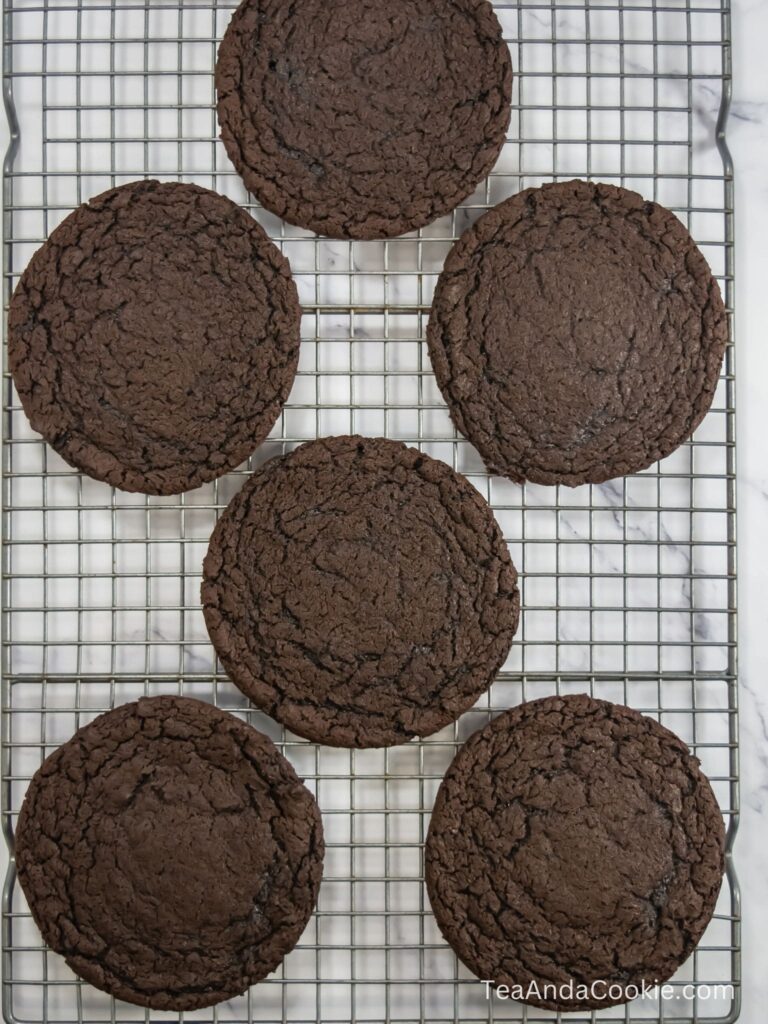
(359,119)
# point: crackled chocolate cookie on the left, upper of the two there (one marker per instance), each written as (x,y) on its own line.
(155,337)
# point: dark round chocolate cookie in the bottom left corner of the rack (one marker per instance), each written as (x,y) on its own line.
(169,852)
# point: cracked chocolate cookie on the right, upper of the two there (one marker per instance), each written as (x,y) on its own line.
(577,334)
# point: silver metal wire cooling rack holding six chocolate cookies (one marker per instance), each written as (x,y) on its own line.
(629,588)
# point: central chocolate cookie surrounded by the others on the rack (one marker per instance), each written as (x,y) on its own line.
(360,592)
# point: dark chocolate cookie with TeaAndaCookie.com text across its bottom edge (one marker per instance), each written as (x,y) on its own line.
(575,844)
